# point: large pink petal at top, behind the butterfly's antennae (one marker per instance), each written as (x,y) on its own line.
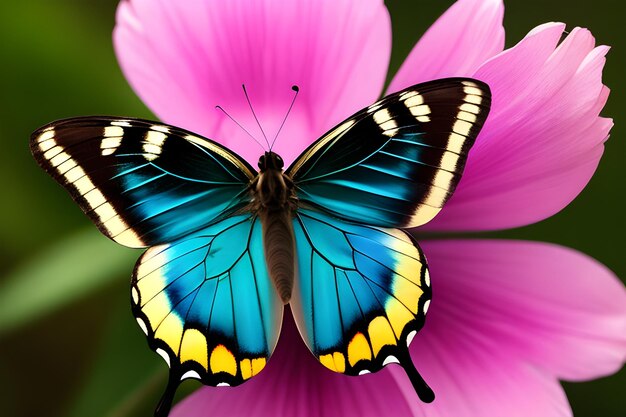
(185,57)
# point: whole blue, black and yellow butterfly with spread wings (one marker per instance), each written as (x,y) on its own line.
(229,247)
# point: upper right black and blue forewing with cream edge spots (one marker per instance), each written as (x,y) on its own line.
(395,163)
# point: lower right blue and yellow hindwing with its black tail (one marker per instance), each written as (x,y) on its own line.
(361,293)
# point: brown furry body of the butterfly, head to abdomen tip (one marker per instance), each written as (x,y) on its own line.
(274,202)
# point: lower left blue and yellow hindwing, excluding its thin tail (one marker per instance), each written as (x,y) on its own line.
(207,305)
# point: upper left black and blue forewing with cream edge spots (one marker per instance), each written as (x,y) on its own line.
(142,183)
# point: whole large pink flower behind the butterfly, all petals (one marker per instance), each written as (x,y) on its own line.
(509,318)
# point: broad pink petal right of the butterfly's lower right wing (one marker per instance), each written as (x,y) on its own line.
(530,303)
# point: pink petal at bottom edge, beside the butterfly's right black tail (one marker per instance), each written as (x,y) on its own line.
(470,382)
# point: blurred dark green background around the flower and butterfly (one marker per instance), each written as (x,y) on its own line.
(68,343)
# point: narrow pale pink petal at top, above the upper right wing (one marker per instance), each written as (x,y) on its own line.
(459,42)
